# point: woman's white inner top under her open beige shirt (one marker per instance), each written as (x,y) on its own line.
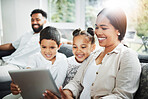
(89,78)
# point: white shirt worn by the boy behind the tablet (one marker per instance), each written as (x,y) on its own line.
(58,69)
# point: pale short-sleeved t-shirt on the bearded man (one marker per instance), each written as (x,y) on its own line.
(26,45)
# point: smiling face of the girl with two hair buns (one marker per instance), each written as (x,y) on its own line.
(82,47)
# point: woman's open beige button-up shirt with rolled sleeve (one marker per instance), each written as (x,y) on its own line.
(118,75)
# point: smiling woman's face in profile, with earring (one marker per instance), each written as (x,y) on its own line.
(107,35)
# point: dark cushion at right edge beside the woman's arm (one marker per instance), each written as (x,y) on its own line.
(142,92)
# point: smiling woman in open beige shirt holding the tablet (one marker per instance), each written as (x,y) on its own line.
(112,72)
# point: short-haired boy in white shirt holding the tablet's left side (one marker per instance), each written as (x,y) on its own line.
(48,58)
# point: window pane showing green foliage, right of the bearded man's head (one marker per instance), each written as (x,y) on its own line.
(62,11)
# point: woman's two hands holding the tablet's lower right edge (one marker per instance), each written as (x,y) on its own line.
(65,94)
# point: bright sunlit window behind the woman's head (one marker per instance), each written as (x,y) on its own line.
(136,11)
